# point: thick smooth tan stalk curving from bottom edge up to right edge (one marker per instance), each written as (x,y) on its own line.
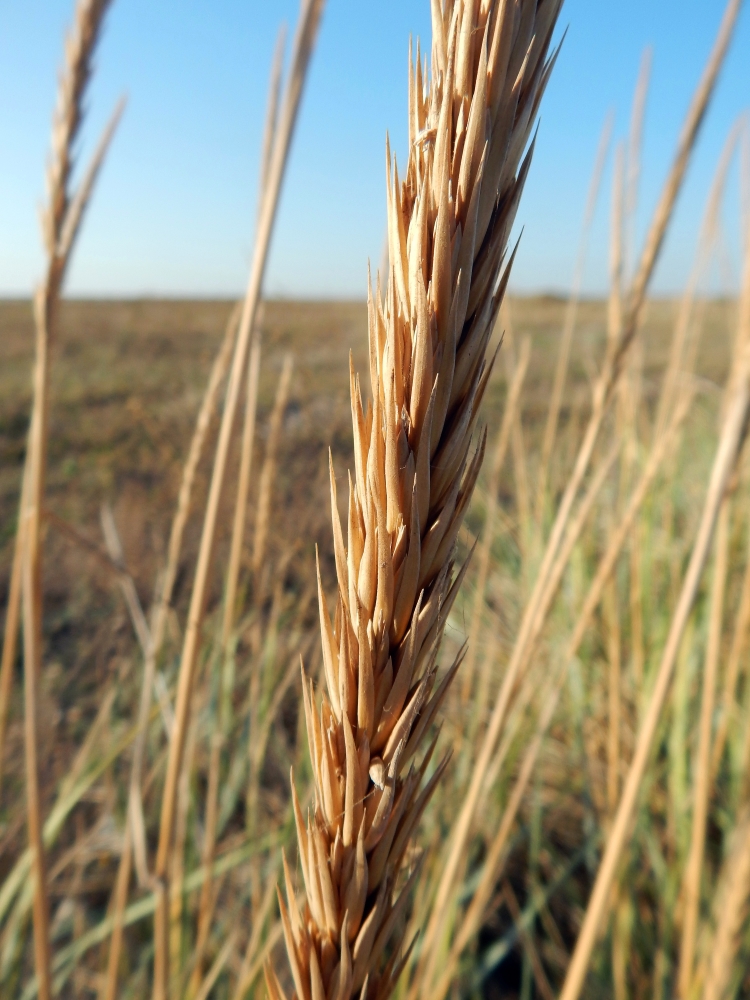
(730,441)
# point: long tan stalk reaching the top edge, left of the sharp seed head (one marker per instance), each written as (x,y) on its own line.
(302,52)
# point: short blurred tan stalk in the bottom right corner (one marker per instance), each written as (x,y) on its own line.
(731,916)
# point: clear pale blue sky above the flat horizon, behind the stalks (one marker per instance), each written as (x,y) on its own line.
(175,208)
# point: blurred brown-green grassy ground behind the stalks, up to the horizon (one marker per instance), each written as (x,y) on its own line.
(127,379)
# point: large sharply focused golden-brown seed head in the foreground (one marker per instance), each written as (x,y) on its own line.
(414,475)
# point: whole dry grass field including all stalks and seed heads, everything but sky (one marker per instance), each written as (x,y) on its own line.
(590,722)
